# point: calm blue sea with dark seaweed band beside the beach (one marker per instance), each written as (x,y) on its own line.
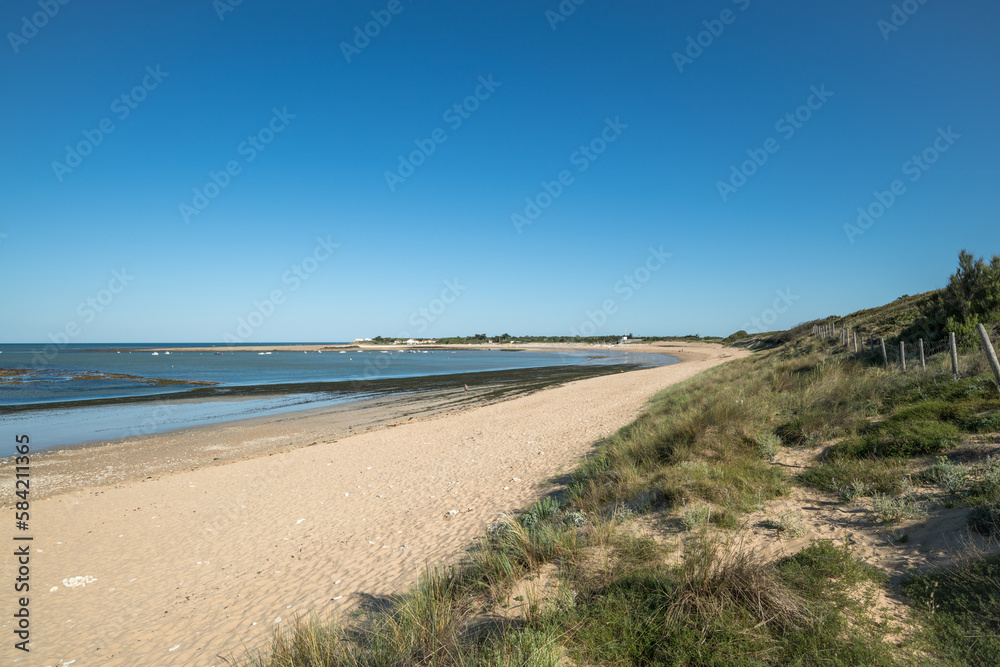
(66,397)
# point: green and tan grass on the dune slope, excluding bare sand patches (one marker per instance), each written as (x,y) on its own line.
(702,453)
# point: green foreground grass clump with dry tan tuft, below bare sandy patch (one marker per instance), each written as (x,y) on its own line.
(722,606)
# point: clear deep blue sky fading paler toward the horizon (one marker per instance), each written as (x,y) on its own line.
(267,171)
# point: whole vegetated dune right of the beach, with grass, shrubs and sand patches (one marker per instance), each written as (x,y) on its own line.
(661,548)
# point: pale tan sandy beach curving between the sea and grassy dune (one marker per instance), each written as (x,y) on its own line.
(195,561)
